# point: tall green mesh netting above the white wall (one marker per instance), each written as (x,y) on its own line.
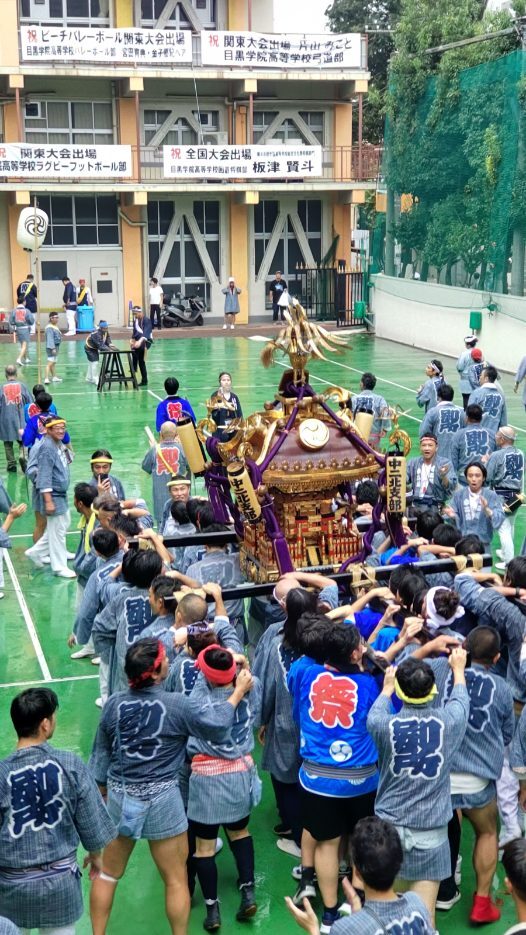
(460,153)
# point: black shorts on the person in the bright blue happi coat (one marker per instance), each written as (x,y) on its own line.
(327,817)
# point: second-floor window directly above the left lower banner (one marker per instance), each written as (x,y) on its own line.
(69,122)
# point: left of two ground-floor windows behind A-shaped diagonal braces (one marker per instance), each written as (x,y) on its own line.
(184,269)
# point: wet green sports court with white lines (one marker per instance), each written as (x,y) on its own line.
(38,610)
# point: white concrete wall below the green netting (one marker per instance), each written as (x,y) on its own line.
(436,318)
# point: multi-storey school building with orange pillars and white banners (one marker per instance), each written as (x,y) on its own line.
(187,82)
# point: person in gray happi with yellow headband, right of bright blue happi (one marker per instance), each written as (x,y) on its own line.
(416,748)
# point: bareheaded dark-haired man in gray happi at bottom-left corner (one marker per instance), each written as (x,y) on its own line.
(49,804)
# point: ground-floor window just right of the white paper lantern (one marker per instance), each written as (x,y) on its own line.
(79,220)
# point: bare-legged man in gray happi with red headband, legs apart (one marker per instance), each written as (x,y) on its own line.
(138,751)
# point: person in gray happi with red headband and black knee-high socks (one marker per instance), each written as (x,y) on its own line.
(224,784)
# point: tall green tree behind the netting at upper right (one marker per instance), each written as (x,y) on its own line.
(452,135)
